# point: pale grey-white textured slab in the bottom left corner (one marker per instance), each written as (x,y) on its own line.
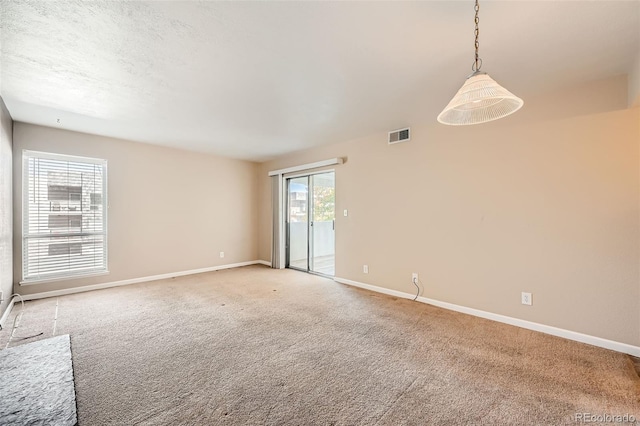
(37,384)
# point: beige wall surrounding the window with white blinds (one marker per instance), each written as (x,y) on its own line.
(169,210)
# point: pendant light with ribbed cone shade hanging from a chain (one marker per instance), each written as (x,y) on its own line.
(480,99)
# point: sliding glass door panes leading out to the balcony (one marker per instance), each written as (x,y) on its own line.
(311,223)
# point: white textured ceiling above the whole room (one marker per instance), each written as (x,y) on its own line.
(253,80)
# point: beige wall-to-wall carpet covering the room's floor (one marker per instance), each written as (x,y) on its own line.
(259,346)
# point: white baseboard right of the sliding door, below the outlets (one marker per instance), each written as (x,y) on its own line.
(567,334)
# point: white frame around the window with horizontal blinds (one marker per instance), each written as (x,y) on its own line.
(39,278)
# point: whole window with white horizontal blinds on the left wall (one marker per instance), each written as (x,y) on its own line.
(64,216)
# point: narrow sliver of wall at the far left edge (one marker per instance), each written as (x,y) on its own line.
(6,230)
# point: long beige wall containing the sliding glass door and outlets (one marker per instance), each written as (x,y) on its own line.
(483,213)
